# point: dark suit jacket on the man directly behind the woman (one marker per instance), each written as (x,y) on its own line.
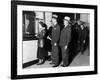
(55,34)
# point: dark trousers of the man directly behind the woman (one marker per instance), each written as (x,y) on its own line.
(55,55)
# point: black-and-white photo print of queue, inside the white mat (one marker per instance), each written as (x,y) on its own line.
(55,39)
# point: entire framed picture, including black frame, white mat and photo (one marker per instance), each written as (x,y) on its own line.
(53,40)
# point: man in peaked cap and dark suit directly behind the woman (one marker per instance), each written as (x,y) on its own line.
(55,40)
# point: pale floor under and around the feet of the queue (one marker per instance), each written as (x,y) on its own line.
(79,60)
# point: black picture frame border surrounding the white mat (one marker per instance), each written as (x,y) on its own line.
(14,39)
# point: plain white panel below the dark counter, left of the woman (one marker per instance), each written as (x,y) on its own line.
(29,50)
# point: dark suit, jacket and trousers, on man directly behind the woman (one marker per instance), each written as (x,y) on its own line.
(55,48)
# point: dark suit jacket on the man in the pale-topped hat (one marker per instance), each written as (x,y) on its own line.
(65,36)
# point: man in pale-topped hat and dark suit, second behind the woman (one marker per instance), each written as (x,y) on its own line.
(65,38)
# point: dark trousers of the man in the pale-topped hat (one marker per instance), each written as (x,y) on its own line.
(65,55)
